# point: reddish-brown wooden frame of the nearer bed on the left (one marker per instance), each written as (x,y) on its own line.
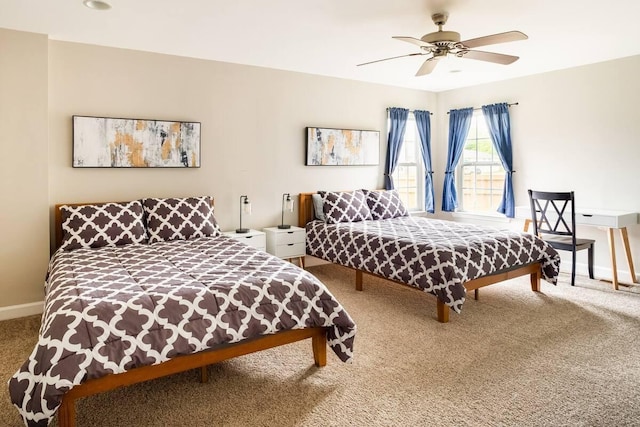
(66,412)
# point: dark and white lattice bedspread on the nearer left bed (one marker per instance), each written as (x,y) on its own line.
(112,309)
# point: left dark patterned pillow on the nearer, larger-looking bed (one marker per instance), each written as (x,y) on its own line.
(105,224)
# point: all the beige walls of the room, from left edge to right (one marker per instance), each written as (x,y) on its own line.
(574,129)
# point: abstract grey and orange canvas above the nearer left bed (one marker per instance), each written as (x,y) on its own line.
(105,142)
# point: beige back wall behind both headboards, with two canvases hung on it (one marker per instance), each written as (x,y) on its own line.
(253,122)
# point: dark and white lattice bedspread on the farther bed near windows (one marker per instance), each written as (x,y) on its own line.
(433,255)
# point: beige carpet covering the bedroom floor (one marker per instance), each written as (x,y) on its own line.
(566,356)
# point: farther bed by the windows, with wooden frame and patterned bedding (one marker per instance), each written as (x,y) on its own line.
(372,232)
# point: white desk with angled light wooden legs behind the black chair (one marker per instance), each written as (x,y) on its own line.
(609,219)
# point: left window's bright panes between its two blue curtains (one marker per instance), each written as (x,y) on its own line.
(408,177)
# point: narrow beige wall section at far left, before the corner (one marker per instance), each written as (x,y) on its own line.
(24,246)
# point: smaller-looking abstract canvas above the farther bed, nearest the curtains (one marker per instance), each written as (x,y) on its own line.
(342,147)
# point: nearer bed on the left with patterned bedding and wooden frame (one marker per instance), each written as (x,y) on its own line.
(143,289)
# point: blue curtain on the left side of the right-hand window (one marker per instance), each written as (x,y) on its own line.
(459,123)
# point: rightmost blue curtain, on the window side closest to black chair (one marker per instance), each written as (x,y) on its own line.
(497,118)
